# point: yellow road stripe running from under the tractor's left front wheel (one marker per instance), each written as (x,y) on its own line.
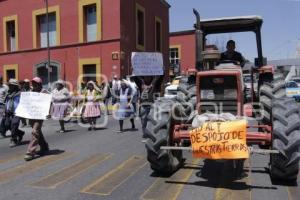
(161,189)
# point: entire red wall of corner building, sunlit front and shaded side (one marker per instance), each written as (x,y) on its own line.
(118,34)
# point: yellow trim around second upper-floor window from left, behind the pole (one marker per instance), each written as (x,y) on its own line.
(42,11)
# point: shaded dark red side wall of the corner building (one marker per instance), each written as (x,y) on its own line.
(152,8)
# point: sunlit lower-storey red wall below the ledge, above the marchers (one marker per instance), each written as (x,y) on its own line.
(67,57)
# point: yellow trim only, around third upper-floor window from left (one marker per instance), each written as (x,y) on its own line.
(81,4)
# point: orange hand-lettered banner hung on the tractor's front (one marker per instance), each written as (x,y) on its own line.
(220,140)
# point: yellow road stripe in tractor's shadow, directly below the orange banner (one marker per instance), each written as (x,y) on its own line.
(234,193)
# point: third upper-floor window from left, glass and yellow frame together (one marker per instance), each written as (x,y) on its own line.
(89,20)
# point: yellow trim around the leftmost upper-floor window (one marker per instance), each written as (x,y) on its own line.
(5,20)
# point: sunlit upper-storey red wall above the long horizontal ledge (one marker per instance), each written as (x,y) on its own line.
(68,16)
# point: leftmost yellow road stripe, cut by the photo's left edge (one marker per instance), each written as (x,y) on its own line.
(30,166)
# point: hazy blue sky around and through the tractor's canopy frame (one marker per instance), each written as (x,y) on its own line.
(280,32)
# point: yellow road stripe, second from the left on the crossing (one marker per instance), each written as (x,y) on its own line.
(53,180)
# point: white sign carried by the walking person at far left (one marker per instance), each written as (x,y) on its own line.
(34,105)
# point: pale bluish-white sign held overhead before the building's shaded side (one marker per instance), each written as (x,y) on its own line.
(147,64)
